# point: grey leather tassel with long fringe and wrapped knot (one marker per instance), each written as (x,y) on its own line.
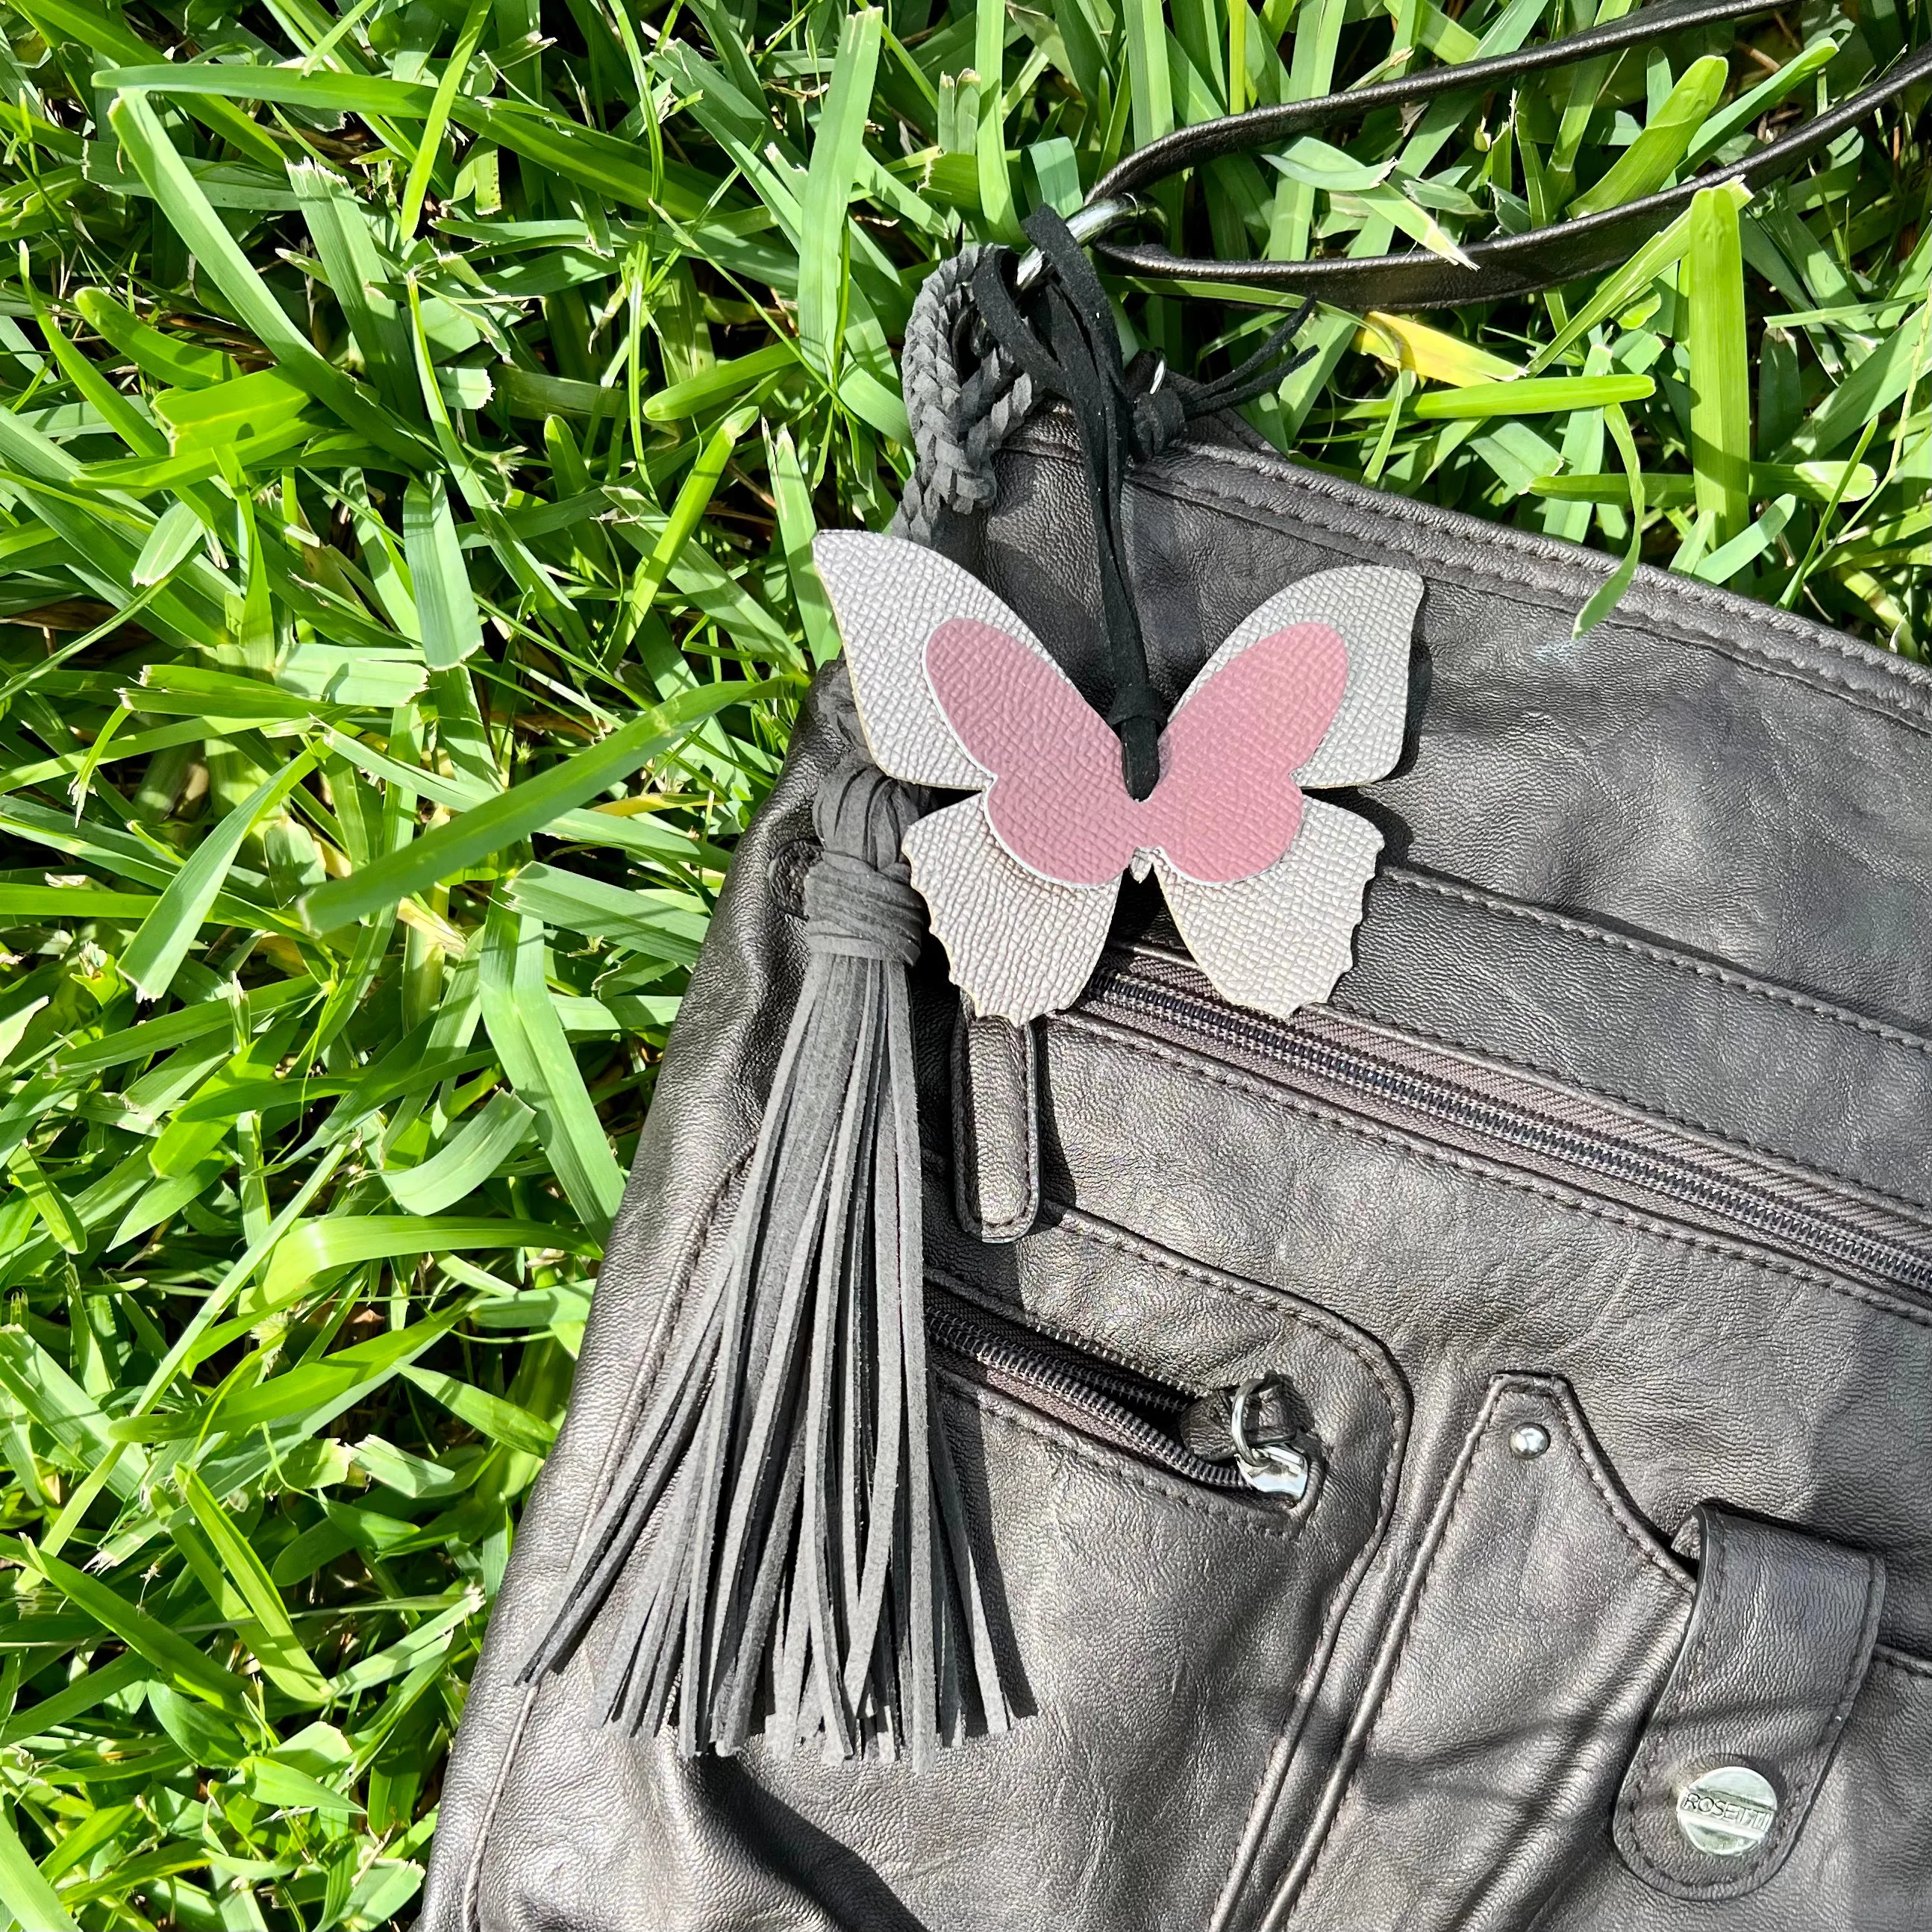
(789,1502)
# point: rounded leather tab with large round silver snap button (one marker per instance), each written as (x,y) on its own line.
(1734,1753)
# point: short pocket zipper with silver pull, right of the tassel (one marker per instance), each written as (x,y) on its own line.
(1114,1406)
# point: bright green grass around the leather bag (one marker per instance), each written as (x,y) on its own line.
(416,422)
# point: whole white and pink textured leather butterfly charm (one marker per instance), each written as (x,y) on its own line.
(1021,880)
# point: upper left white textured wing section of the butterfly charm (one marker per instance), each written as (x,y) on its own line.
(890,598)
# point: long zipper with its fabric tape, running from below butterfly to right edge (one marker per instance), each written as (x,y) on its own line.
(1560,1133)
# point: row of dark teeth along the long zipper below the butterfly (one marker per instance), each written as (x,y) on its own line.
(1742,1205)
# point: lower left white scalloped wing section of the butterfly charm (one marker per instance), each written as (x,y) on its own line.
(1019,946)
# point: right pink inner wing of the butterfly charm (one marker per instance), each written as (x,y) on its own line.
(1228,805)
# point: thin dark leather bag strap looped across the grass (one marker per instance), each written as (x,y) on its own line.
(1510,266)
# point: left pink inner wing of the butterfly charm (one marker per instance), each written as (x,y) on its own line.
(1058,801)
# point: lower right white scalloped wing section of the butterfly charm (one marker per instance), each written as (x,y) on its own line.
(1282,940)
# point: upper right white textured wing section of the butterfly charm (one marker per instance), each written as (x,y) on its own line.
(1375,611)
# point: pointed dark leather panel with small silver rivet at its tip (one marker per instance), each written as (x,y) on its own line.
(1529,1643)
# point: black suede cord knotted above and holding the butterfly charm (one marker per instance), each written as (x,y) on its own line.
(1071,351)
